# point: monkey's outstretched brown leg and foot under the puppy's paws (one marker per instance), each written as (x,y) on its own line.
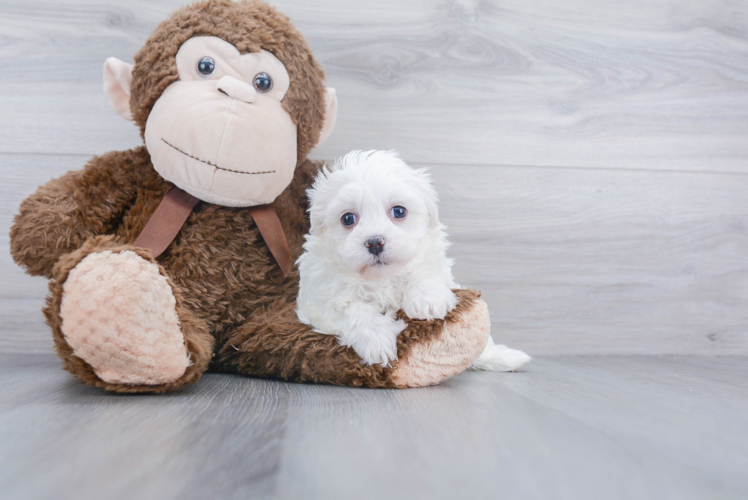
(272,343)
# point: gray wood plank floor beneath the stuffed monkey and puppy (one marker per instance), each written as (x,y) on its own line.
(567,427)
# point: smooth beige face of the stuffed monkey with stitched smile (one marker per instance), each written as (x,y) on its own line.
(217,137)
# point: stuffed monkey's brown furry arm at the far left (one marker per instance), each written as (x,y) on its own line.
(71,209)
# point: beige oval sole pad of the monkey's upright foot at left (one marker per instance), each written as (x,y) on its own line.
(118,315)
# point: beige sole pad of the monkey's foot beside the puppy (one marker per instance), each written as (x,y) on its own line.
(460,343)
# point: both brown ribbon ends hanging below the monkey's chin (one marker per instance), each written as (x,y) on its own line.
(177,205)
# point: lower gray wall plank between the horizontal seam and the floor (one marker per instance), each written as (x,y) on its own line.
(570,261)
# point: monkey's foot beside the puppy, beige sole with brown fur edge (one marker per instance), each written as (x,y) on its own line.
(463,336)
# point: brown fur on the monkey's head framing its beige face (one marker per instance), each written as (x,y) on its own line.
(250,27)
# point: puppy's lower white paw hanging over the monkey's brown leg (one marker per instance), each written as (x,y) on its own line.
(376,343)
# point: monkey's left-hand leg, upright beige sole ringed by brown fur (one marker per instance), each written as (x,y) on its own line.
(119,323)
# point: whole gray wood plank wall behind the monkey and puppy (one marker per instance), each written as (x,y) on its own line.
(591,155)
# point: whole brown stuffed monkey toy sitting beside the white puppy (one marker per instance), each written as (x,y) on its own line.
(175,257)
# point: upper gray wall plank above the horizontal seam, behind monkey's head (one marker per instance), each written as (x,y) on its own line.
(580,83)
